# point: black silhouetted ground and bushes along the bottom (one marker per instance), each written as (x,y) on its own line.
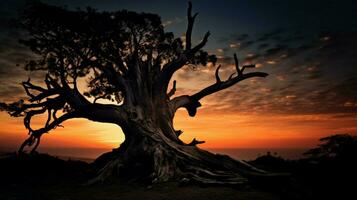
(327,172)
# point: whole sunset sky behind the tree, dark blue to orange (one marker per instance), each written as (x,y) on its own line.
(308,48)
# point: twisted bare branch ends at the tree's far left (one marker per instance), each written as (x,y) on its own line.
(50,99)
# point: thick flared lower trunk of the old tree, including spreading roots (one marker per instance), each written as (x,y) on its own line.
(149,154)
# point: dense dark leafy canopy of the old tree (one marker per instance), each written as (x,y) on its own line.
(108,46)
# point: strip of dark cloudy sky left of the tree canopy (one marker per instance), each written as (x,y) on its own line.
(13,55)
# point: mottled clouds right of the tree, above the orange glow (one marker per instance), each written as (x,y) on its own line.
(311,73)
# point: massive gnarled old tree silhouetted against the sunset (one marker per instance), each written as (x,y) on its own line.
(128,58)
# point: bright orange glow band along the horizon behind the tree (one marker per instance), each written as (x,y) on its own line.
(219,130)
